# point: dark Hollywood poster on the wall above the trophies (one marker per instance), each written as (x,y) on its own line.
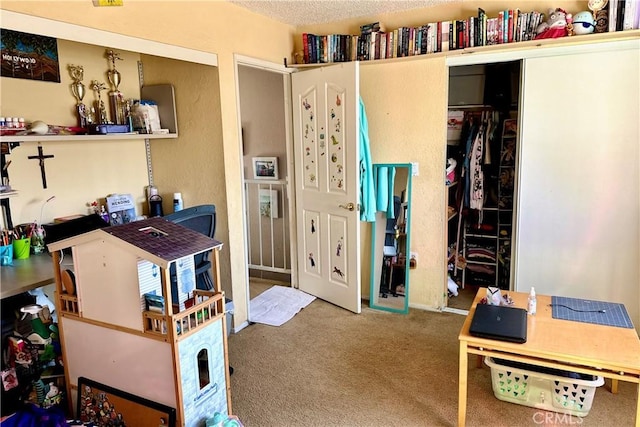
(29,56)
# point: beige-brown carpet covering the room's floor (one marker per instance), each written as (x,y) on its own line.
(330,367)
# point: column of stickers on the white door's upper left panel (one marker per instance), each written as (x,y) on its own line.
(311,146)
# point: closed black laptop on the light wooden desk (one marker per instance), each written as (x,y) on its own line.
(499,322)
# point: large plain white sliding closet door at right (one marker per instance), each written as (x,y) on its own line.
(578,221)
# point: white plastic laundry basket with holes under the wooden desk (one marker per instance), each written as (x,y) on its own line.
(544,388)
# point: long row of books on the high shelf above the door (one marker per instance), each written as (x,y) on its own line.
(374,42)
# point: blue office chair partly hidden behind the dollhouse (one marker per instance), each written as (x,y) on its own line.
(202,219)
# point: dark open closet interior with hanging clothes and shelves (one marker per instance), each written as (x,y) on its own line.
(481,167)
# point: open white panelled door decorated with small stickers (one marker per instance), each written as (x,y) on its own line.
(326,150)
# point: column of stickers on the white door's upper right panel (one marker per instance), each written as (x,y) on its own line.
(335,115)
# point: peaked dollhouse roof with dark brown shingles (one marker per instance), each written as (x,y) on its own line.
(155,239)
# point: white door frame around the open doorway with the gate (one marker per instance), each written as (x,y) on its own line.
(272,67)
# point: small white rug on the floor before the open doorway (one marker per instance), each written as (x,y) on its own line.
(277,305)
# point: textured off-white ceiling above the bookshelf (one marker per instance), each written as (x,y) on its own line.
(306,12)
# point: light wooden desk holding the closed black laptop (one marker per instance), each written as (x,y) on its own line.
(587,348)
